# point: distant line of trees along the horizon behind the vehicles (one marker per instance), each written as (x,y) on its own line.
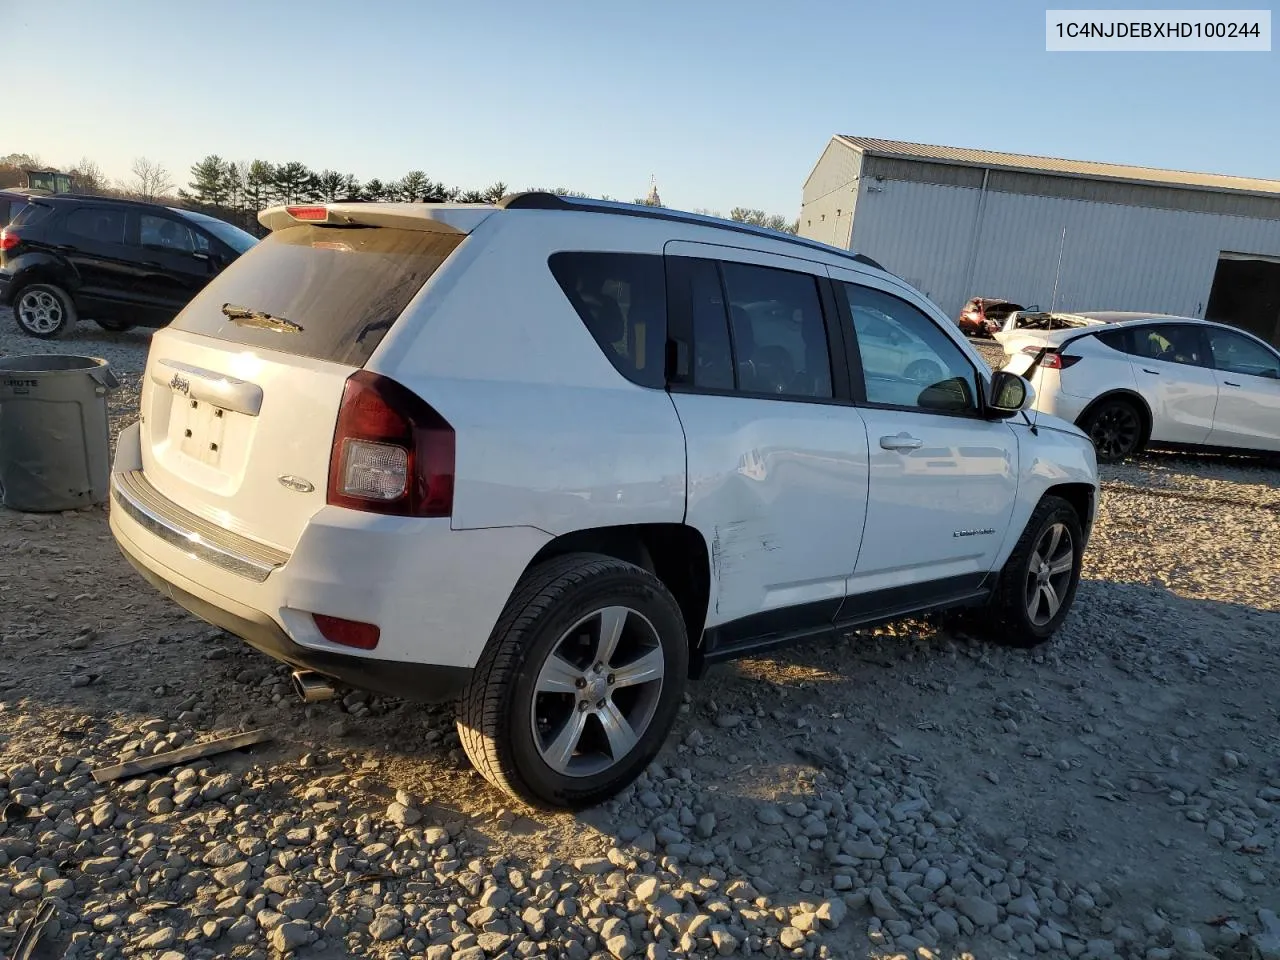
(236,191)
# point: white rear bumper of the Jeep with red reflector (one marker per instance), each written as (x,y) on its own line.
(435,593)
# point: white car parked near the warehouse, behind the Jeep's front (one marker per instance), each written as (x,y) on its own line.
(1133,381)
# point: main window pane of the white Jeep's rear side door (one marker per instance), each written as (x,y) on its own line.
(780,337)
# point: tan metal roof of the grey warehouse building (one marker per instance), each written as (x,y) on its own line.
(1025,163)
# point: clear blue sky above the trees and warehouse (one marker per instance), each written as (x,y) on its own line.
(729,104)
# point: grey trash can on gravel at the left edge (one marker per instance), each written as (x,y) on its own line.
(56,450)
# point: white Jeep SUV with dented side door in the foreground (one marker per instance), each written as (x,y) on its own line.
(552,459)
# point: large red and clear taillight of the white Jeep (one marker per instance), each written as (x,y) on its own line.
(392,452)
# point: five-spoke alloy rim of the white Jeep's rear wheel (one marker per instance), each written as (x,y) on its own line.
(597,692)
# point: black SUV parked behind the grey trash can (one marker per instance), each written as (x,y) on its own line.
(121,263)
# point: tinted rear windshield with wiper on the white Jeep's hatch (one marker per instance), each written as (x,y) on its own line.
(344,287)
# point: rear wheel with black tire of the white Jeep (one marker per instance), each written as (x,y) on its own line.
(579,685)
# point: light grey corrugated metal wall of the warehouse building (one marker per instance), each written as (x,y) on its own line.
(1114,258)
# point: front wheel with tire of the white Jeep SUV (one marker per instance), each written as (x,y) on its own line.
(1040,580)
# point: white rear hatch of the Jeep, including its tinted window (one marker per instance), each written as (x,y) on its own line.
(243,390)
